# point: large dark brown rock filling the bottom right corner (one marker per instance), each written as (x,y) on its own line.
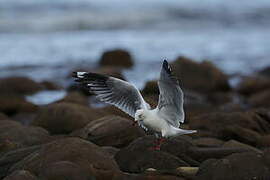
(239,166)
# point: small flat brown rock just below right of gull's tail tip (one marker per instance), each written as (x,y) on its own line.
(208,142)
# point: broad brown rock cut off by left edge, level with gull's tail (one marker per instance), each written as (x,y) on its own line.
(23,135)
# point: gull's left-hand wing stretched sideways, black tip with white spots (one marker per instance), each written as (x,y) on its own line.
(114,91)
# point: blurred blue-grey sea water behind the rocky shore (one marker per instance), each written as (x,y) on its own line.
(46,40)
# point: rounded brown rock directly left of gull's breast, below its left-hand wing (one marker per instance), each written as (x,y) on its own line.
(110,131)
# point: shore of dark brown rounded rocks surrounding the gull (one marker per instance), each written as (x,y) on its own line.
(72,139)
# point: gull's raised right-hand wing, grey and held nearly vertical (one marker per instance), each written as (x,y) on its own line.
(171,99)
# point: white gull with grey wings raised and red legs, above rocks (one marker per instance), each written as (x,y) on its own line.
(164,120)
